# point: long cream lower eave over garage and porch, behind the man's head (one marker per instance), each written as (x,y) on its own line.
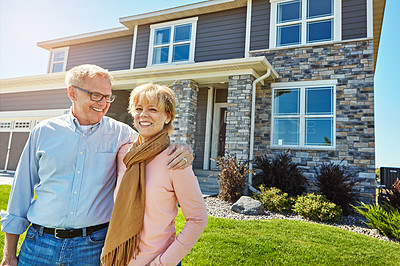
(213,73)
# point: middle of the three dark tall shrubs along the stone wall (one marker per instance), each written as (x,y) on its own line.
(282,173)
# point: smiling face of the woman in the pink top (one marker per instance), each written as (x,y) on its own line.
(149,118)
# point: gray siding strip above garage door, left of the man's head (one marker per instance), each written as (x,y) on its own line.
(35,100)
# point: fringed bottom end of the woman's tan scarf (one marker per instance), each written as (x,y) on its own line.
(123,253)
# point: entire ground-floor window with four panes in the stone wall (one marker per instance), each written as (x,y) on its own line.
(303,114)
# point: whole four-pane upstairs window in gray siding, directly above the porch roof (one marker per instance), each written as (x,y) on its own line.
(172,42)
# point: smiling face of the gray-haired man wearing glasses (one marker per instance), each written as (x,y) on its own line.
(89,112)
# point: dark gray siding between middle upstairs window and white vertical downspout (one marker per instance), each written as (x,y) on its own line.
(221,35)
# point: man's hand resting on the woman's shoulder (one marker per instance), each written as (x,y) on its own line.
(180,156)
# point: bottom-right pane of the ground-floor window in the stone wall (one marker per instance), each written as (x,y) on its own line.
(319,131)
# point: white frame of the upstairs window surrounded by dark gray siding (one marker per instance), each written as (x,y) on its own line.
(172,24)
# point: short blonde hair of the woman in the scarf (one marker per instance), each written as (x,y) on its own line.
(162,95)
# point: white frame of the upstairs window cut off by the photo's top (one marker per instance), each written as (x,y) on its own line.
(337,23)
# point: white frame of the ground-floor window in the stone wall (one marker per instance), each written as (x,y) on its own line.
(302,127)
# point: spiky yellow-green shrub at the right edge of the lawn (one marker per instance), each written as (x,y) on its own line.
(385,218)
